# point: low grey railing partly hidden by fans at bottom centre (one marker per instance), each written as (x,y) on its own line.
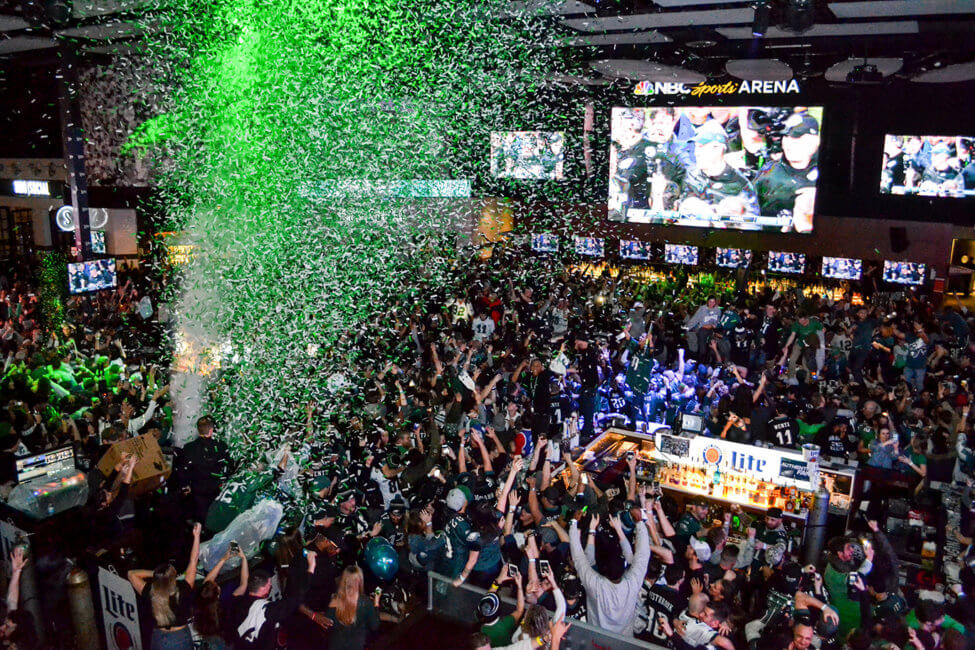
(460,603)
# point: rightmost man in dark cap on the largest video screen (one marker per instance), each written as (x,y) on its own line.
(787,188)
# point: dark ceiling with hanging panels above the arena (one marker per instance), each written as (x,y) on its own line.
(660,40)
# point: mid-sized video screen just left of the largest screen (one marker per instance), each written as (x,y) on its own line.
(528,155)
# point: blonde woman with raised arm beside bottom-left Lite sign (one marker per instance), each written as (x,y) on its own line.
(170,600)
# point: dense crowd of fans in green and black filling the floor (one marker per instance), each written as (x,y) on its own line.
(457,450)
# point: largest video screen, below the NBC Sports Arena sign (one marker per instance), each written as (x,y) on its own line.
(749,167)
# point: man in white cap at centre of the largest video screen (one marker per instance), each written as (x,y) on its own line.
(714,191)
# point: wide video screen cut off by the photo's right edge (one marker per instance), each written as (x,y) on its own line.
(928,165)
